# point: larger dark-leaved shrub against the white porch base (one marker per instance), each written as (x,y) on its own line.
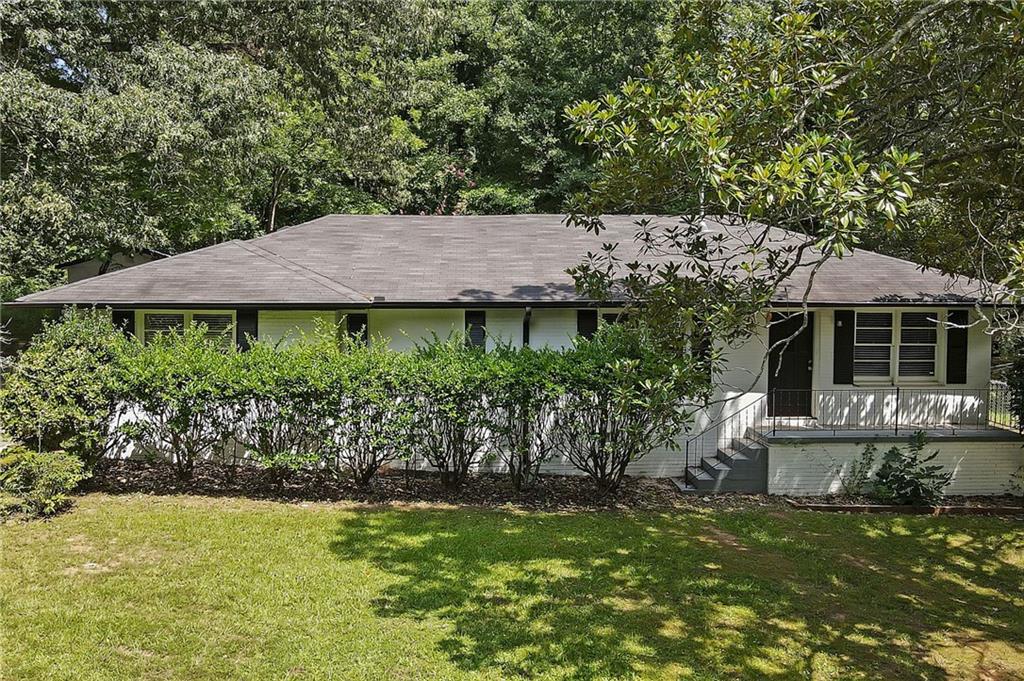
(907,478)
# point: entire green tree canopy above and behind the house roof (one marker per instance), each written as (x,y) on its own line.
(175,125)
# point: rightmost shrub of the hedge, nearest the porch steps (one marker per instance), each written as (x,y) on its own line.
(622,400)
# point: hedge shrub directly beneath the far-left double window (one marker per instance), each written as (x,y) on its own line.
(177,387)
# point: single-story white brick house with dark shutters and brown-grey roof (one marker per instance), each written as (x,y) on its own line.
(889,348)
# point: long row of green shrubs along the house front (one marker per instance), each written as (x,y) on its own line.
(352,408)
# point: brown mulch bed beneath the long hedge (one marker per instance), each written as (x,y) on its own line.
(398,487)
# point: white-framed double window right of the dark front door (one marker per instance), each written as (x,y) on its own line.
(901,346)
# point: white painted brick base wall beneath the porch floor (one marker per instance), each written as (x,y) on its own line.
(814,469)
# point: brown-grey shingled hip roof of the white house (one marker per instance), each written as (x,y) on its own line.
(412,261)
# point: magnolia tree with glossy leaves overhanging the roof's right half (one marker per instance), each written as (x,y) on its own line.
(743,136)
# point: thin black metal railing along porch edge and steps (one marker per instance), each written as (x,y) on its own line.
(898,410)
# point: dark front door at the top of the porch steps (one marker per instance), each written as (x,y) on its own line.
(790,365)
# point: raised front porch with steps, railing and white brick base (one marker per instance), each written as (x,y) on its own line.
(802,442)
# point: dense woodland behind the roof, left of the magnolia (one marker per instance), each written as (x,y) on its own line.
(175,125)
